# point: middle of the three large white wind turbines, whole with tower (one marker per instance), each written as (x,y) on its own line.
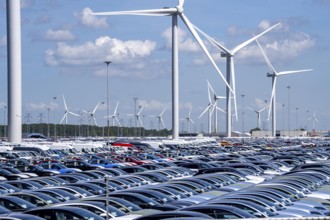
(230,77)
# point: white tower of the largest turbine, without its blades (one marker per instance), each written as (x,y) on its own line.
(175,78)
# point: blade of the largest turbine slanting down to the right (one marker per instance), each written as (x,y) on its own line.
(200,42)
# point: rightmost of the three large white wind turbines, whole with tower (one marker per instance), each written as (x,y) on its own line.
(274,74)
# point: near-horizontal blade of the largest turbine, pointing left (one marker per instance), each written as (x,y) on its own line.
(149,12)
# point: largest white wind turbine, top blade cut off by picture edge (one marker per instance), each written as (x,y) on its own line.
(174,12)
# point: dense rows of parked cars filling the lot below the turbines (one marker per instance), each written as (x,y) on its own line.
(208,182)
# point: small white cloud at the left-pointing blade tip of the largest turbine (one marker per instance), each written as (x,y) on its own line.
(86,18)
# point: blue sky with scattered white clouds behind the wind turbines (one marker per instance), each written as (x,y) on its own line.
(64,48)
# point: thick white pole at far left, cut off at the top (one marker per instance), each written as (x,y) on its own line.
(14,71)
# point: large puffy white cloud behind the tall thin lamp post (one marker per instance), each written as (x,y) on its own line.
(129,55)
